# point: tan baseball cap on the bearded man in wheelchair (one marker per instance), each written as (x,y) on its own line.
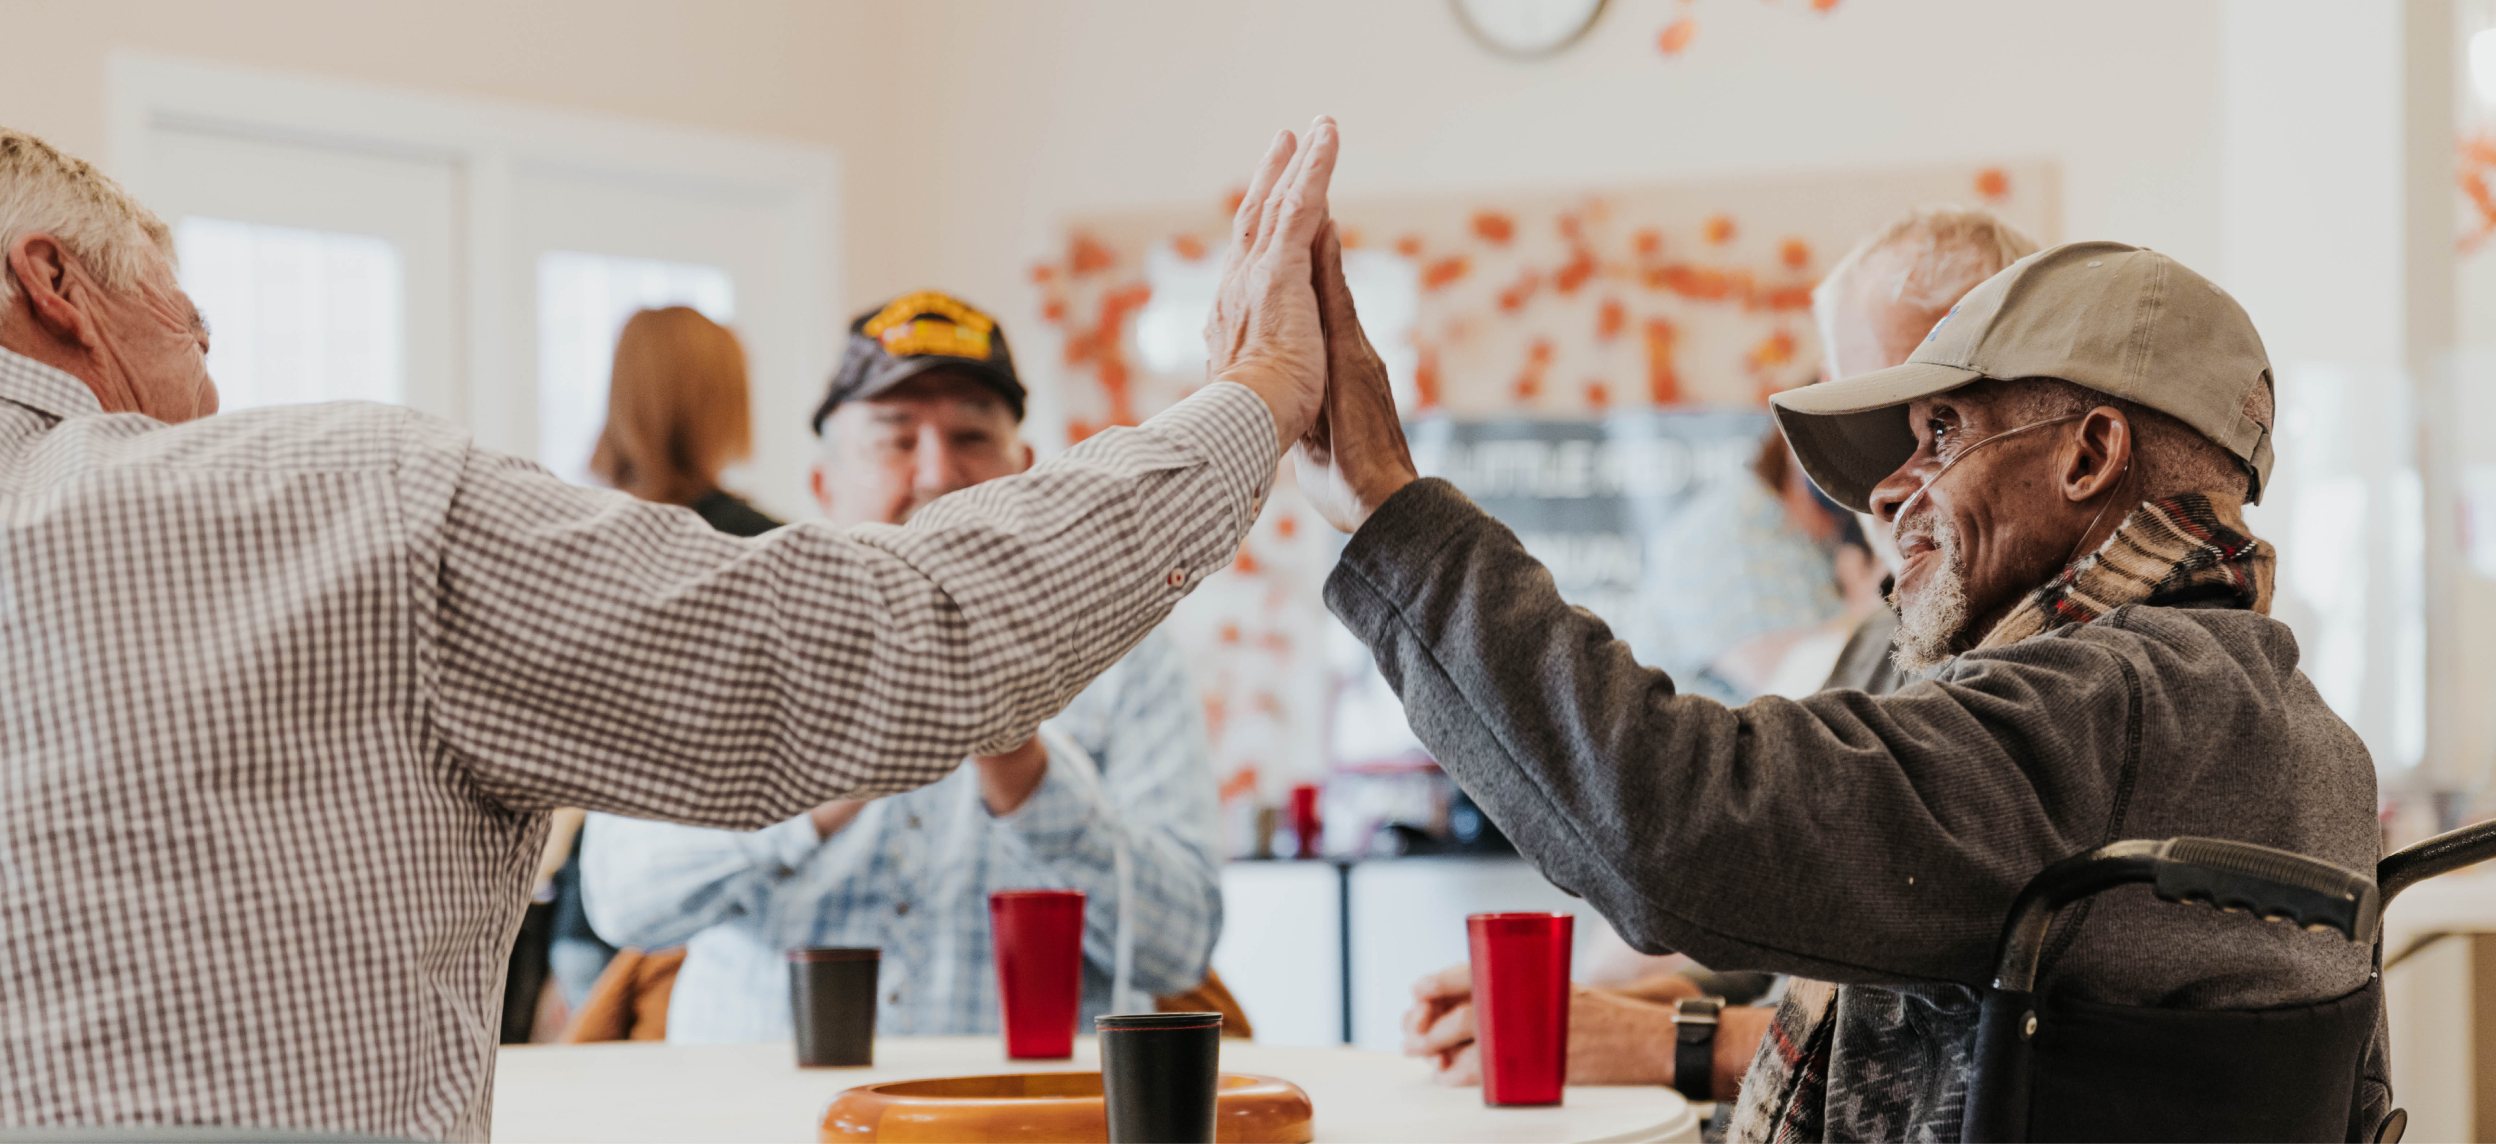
(2120,321)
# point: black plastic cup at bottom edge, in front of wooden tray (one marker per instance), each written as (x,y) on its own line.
(1159,1075)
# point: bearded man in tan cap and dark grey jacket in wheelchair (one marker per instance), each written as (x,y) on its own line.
(2063,466)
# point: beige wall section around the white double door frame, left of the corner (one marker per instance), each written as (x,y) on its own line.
(807,71)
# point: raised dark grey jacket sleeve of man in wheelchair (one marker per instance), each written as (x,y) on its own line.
(1843,838)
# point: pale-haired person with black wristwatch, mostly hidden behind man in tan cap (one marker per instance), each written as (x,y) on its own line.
(1873,308)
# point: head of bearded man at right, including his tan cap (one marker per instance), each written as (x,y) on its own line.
(2068,331)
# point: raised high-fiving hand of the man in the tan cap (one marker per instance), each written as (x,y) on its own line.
(1354,456)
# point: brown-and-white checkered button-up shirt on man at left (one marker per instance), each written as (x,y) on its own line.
(286,698)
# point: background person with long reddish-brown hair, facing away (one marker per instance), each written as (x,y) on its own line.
(678,413)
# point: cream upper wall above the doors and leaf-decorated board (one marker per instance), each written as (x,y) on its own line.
(972,129)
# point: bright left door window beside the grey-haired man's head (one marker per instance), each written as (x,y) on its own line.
(296,316)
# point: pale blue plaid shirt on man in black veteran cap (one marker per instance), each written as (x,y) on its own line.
(912,875)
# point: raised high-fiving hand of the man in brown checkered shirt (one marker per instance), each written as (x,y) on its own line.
(1264,331)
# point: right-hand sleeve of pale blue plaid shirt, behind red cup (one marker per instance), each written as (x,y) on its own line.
(1159,793)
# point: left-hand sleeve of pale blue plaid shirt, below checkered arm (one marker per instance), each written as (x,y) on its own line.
(655,885)
